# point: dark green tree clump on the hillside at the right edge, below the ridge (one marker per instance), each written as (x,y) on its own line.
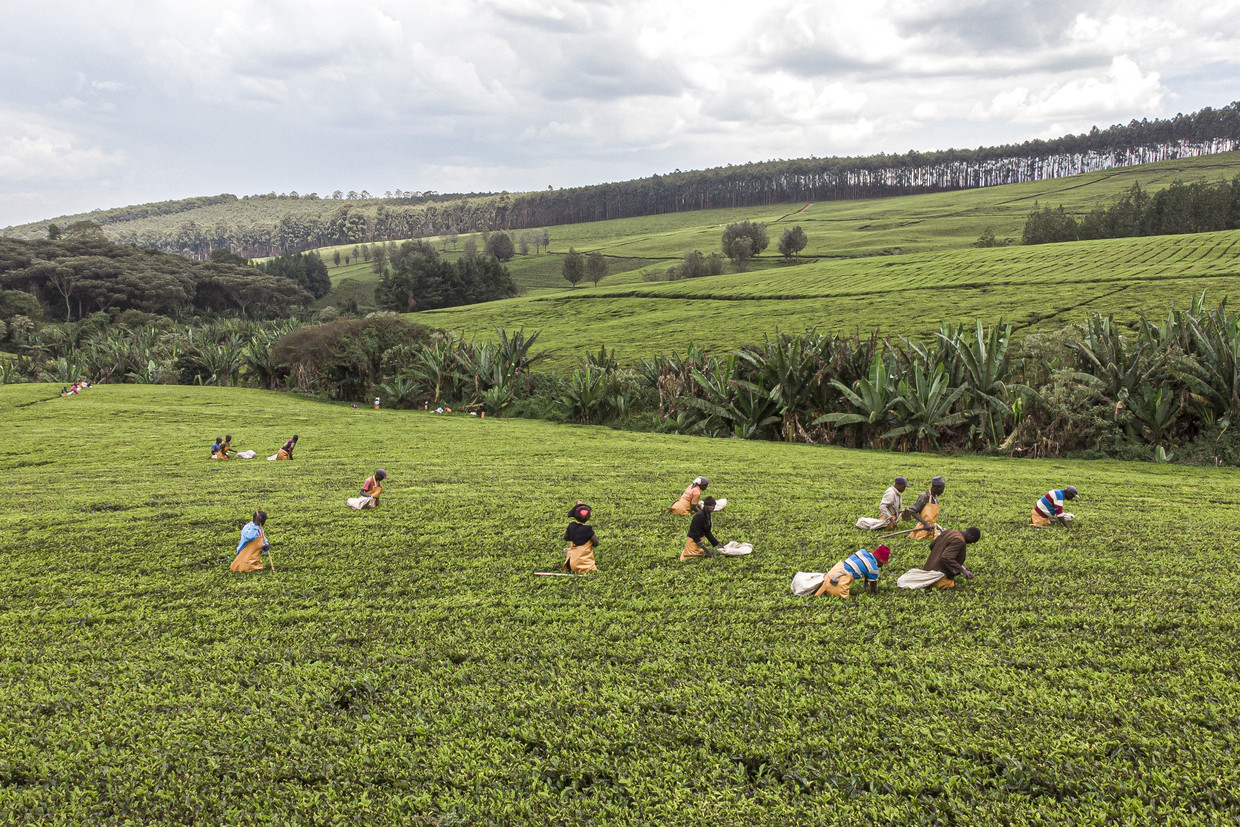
(1197,208)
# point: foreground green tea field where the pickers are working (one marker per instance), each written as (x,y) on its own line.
(405,666)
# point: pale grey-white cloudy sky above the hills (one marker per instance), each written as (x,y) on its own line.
(107,105)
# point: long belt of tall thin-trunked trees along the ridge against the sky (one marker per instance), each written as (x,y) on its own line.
(265,226)
